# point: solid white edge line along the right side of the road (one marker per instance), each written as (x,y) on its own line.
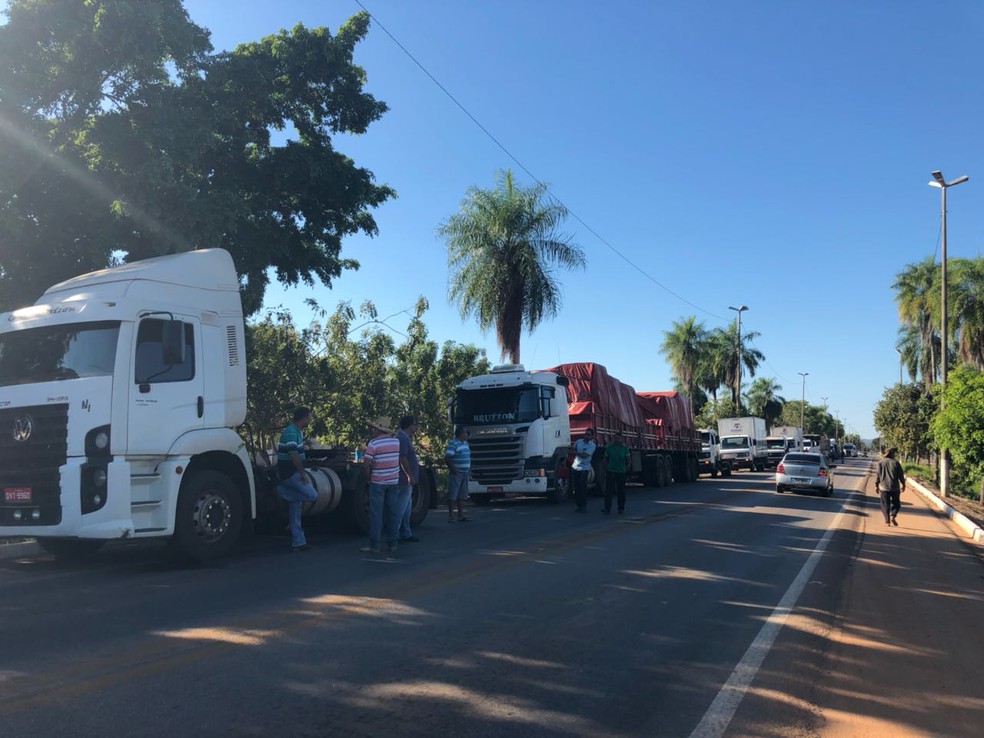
(725,705)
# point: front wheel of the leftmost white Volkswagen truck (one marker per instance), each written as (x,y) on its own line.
(209,516)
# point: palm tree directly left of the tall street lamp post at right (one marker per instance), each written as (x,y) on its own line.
(917,290)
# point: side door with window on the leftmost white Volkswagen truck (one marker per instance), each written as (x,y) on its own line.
(166,391)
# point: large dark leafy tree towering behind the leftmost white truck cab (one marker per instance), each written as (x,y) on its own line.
(124,135)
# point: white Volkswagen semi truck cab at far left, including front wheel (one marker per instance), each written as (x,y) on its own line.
(119,394)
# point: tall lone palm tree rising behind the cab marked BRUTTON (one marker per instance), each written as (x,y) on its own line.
(502,244)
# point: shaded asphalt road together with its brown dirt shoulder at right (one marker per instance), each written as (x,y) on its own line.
(716,608)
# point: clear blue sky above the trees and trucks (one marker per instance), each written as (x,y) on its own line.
(773,153)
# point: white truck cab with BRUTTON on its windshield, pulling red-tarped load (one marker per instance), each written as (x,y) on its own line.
(518,429)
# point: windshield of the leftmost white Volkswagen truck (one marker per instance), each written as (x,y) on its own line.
(58,352)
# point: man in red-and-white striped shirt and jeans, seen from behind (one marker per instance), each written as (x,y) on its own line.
(382,465)
